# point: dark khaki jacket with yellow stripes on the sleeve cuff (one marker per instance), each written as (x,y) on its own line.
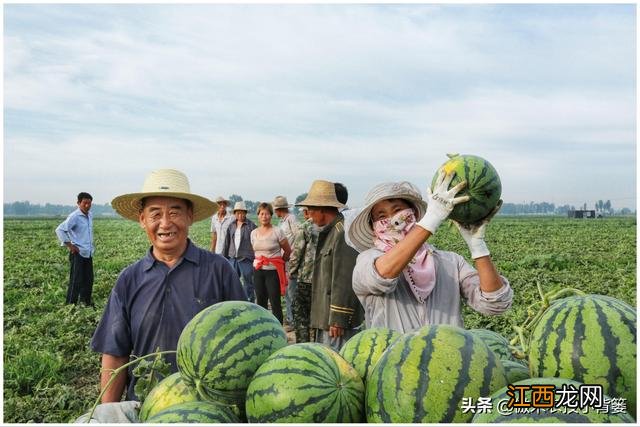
(333,300)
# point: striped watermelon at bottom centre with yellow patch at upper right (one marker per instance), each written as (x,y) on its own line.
(305,383)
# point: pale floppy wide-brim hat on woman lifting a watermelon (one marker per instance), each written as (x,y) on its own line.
(360,231)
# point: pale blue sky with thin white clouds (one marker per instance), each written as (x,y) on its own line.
(261,100)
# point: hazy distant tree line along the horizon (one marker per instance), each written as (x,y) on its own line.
(25,208)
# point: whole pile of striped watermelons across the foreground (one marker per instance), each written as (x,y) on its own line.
(235,366)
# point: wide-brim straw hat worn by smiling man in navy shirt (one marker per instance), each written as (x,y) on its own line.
(164,183)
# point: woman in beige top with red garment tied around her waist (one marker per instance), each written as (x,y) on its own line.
(272,251)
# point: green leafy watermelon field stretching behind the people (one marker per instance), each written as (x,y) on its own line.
(51,376)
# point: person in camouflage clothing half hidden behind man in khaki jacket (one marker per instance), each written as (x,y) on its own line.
(301,265)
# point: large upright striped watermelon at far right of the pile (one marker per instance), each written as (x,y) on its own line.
(590,339)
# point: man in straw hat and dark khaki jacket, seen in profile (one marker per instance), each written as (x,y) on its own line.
(336,313)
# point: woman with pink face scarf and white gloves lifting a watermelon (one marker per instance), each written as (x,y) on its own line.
(405,283)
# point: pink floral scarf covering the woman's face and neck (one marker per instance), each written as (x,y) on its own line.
(421,271)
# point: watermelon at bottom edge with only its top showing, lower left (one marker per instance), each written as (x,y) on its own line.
(194,412)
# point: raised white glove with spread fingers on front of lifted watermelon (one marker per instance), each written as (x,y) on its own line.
(441,201)
